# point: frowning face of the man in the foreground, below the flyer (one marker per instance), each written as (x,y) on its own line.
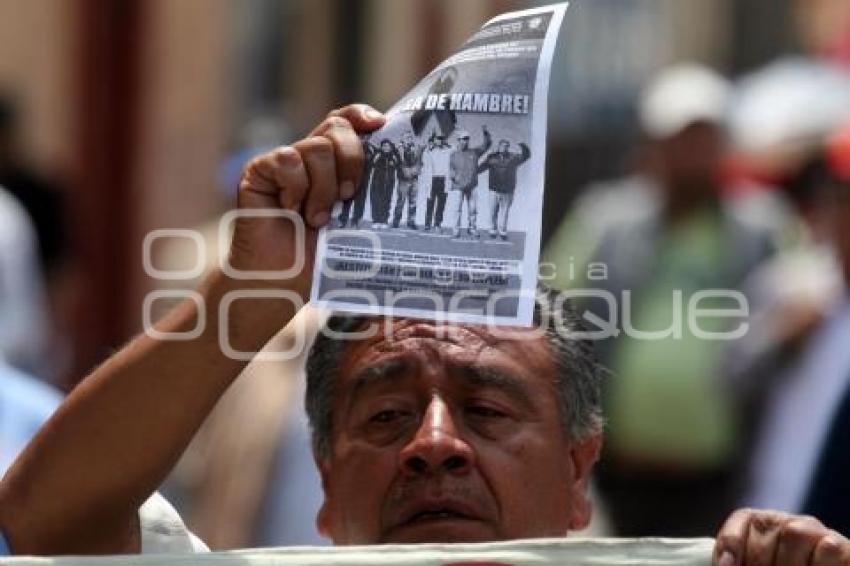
(451,434)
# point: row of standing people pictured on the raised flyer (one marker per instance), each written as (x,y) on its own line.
(408,165)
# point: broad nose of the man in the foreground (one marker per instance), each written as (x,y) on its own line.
(436,447)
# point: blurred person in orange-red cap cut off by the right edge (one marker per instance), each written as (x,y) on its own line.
(801,459)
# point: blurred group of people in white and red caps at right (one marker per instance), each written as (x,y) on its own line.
(740,188)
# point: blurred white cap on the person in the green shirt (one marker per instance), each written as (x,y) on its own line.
(682,95)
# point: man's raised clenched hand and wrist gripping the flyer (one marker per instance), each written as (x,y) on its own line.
(306,179)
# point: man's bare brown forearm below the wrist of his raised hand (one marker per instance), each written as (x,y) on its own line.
(122,429)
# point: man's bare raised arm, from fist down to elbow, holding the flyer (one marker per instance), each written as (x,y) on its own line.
(78,486)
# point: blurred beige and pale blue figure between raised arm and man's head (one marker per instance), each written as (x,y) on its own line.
(248,479)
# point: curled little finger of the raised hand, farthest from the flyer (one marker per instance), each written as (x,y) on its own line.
(276,177)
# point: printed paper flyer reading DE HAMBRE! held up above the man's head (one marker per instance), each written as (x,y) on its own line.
(446,223)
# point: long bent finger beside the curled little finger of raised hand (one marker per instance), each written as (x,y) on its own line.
(317,153)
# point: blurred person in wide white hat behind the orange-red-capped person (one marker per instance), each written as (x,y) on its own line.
(782,118)
